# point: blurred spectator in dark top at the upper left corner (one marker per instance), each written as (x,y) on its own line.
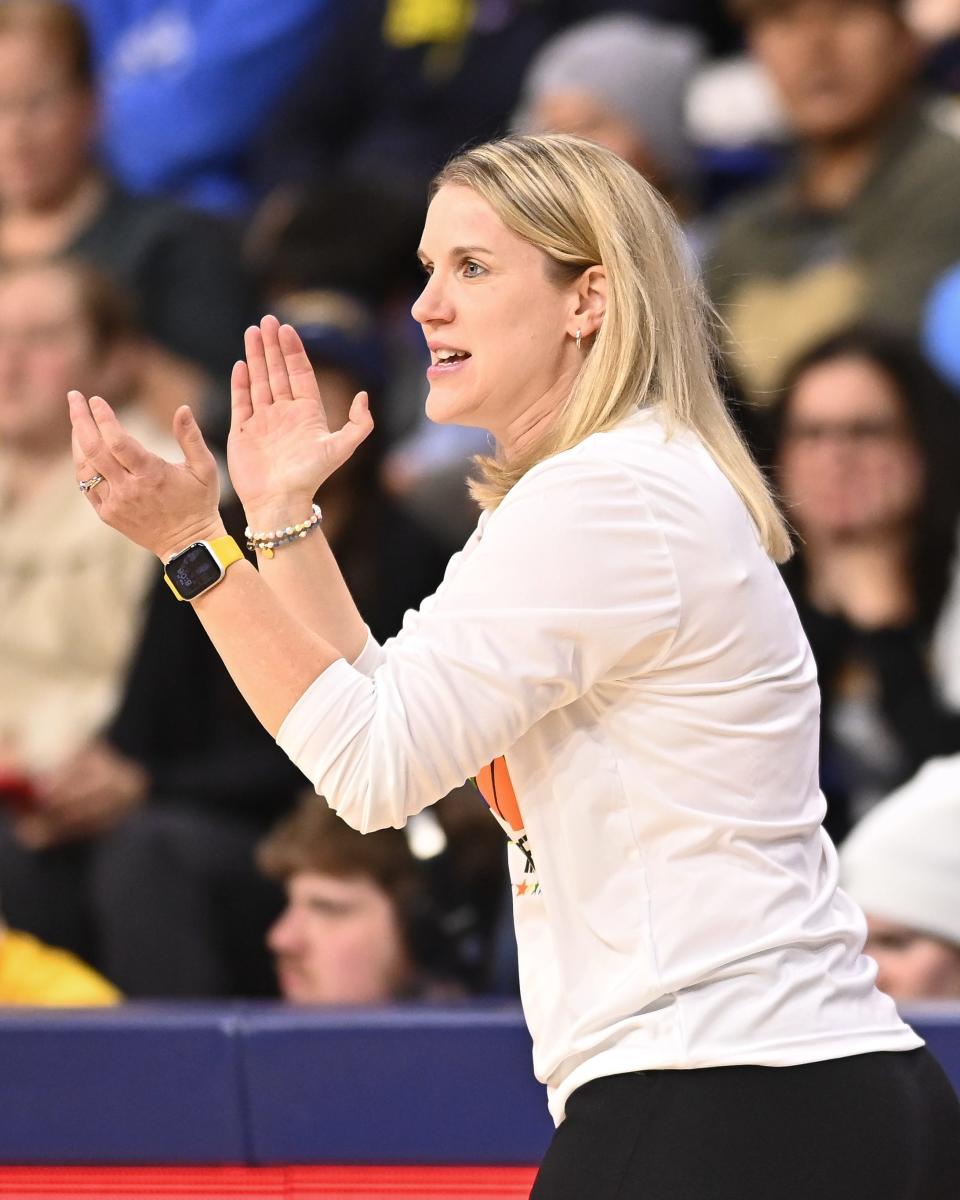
(182,269)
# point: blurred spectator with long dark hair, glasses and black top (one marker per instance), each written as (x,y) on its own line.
(867,449)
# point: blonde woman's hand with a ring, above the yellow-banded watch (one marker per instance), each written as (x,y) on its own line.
(163,507)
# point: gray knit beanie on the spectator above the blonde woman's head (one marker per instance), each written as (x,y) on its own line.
(641,69)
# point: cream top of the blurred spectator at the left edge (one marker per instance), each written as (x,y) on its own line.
(73,596)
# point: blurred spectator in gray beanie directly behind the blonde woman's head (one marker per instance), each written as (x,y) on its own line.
(621,81)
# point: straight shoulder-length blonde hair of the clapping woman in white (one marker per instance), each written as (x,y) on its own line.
(583,207)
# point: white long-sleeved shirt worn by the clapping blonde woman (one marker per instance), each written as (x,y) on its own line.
(617,632)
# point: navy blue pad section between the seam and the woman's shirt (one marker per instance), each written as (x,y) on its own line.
(412,1085)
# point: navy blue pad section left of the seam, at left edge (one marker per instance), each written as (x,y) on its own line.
(139,1084)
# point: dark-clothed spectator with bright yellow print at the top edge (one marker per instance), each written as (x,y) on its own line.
(399,87)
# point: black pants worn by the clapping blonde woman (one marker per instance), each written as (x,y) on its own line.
(871,1127)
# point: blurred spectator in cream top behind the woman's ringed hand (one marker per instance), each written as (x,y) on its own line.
(71,591)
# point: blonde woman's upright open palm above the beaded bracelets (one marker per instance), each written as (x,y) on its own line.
(281,449)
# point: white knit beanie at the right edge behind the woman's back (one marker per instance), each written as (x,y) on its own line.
(903,861)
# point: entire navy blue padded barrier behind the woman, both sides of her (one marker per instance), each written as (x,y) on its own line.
(263,1084)
